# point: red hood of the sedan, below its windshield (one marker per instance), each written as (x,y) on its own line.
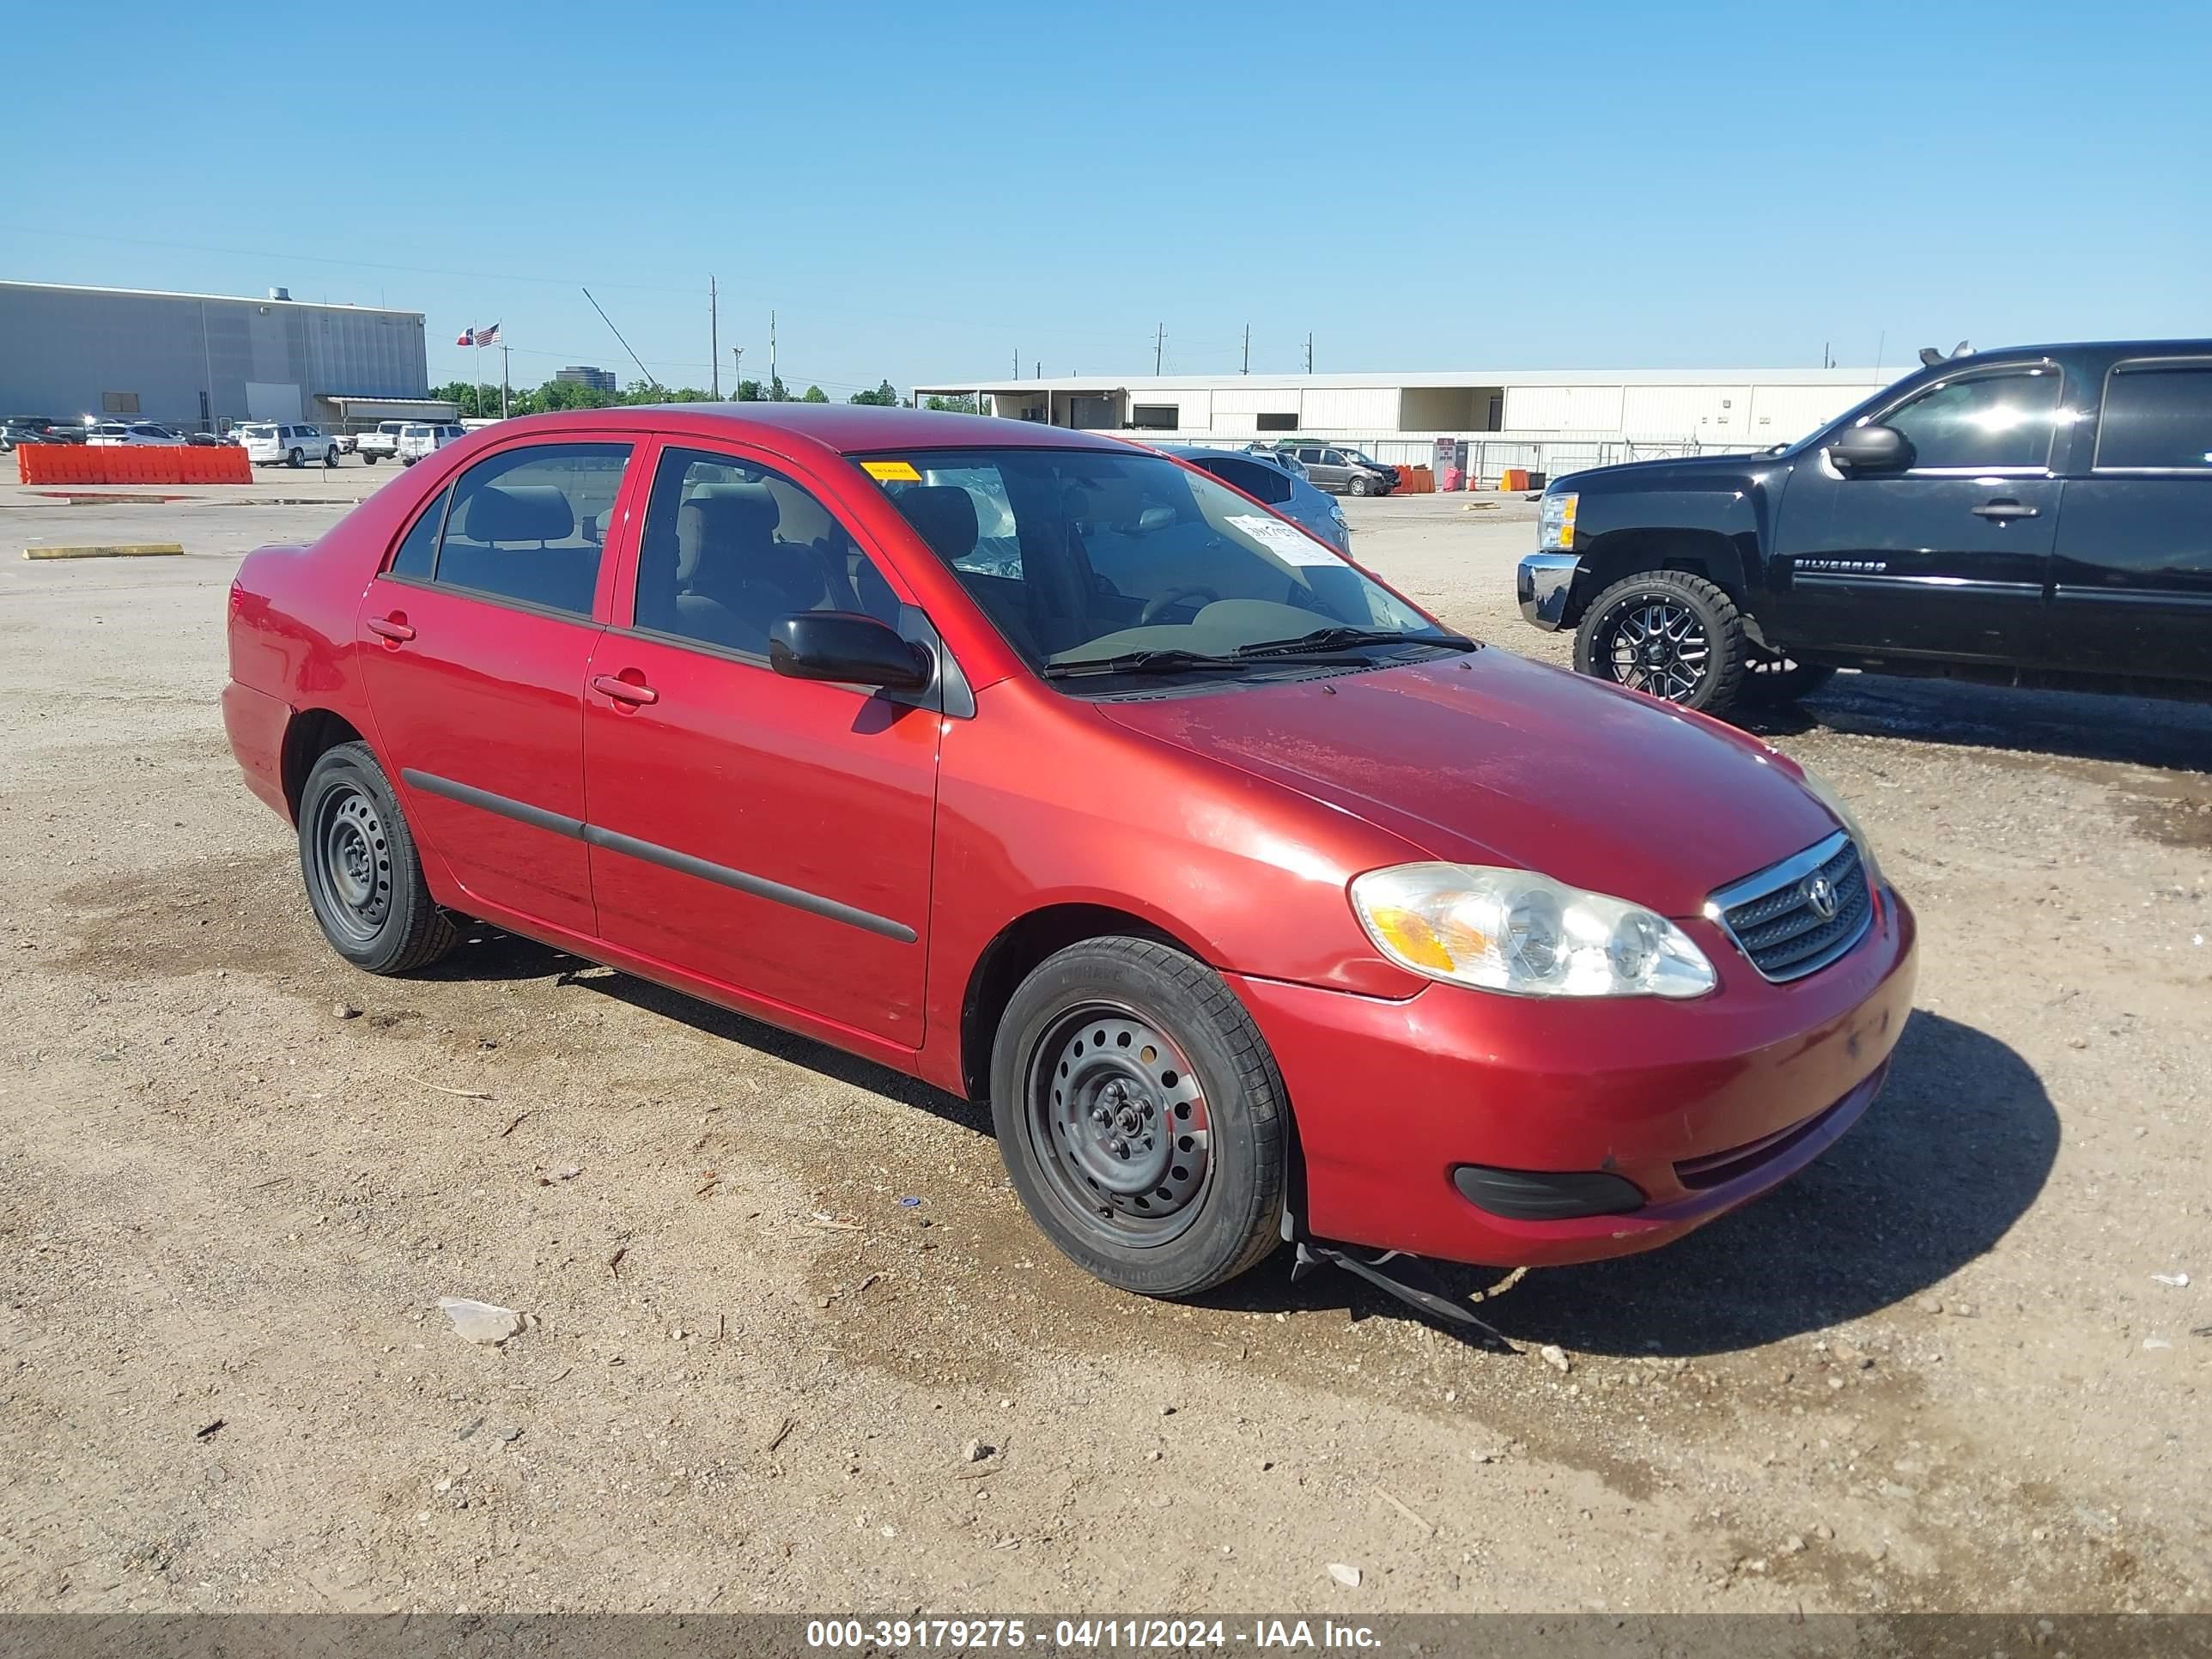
(1496,760)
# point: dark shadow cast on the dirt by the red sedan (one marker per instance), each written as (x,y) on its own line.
(1937,1173)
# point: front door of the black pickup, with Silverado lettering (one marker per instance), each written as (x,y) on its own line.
(1948,559)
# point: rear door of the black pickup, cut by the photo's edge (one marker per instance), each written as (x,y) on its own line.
(2133,563)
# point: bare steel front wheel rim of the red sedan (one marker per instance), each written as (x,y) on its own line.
(1120,1127)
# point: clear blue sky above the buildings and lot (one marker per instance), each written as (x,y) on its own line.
(926,189)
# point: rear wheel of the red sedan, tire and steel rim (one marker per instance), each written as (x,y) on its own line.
(362,868)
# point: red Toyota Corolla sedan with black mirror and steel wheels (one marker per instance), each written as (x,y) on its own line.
(1063,775)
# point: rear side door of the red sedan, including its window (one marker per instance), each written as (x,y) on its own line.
(477,640)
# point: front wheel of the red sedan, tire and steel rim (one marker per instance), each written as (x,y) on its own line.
(1222,1171)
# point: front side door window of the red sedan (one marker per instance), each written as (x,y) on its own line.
(731,547)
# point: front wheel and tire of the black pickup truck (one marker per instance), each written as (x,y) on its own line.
(1667,634)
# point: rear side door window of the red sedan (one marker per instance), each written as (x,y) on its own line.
(523,525)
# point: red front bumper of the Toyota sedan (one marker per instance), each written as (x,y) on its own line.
(1698,1105)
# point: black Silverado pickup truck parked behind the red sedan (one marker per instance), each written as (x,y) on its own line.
(2034,517)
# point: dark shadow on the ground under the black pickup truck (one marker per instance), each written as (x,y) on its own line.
(2127,731)
